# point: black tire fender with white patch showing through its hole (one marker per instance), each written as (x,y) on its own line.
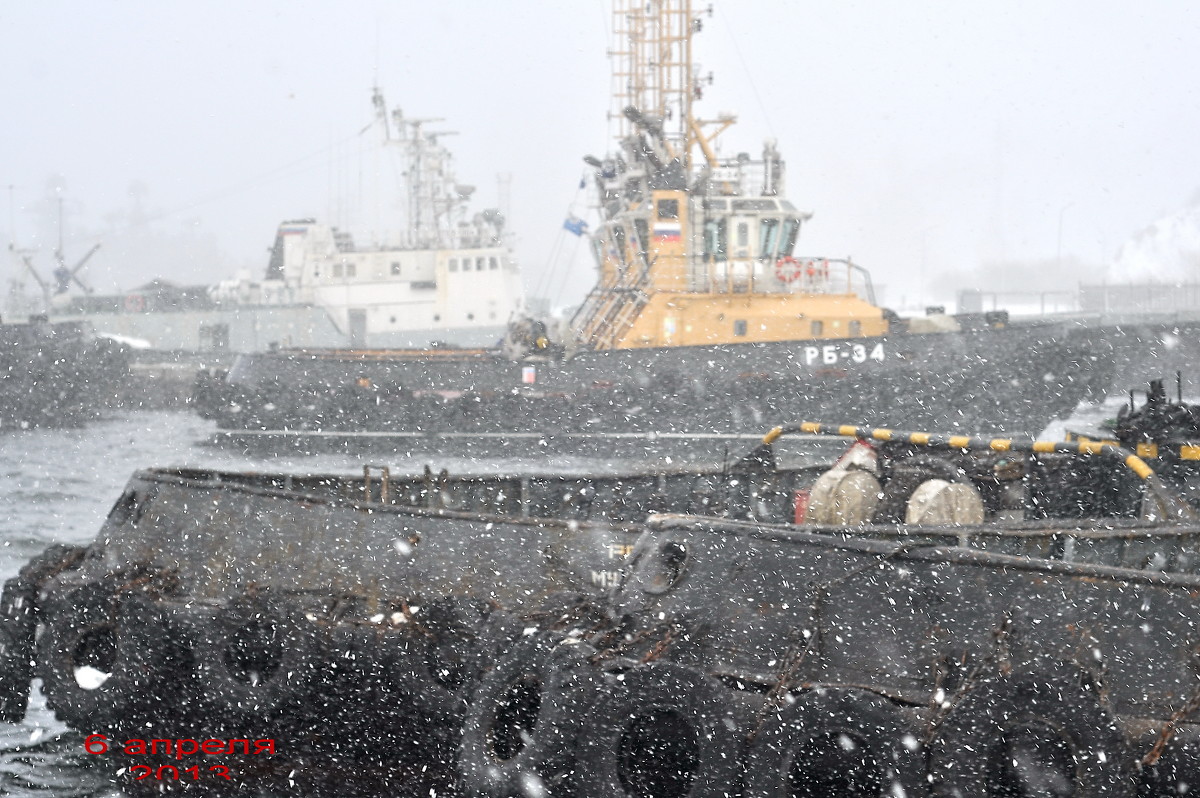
(95,615)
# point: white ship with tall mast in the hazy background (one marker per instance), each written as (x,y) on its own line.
(447,278)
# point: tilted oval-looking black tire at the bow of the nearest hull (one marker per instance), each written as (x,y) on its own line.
(561,683)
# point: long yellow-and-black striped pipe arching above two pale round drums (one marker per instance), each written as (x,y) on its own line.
(1105,449)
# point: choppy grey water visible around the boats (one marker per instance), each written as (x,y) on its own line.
(58,485)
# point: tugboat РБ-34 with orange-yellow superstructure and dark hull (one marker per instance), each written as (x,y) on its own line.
(704,319)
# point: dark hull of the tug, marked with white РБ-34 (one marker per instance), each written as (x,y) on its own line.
(1012,381)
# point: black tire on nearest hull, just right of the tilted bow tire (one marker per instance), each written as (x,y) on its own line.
(676,699)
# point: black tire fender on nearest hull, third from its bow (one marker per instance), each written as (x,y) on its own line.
(887,743)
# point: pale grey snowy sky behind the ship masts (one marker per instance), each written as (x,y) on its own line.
(932,140)
